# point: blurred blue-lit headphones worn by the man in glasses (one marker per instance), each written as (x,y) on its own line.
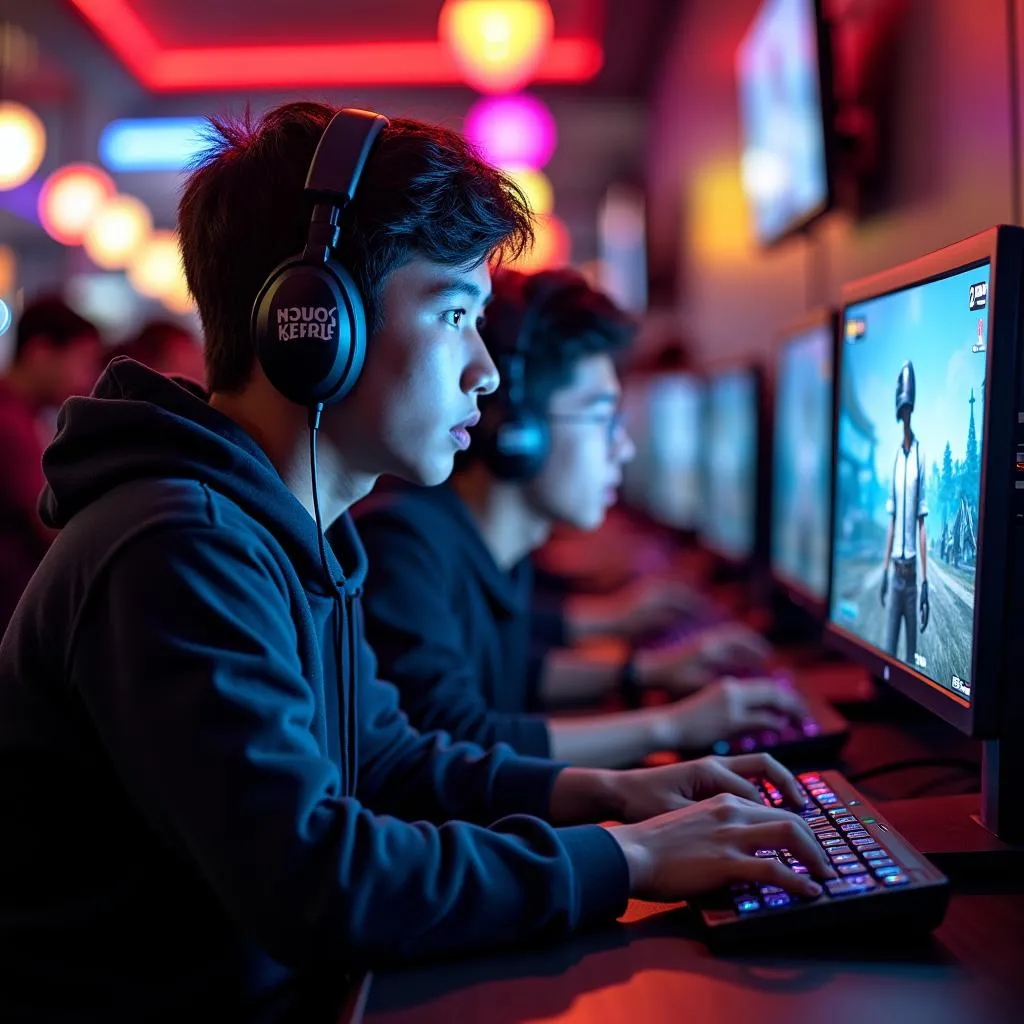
(516,441)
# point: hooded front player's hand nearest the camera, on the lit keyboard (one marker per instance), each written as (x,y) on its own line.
(713,844)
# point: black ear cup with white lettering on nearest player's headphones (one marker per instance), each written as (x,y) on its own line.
(310,331)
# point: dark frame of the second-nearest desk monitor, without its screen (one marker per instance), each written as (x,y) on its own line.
(797,592)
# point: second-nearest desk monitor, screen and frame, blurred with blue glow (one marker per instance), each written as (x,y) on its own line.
(802,453)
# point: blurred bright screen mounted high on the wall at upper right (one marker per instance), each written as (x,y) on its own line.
(785,102)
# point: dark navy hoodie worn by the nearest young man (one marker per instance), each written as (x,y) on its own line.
(209,802)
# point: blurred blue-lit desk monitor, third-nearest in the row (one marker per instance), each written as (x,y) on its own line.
(731,471)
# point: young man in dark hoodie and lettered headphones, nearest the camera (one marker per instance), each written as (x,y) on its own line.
(210,802)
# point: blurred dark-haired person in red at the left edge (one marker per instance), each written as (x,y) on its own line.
(57,355)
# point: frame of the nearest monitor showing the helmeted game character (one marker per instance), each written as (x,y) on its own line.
(1003,247)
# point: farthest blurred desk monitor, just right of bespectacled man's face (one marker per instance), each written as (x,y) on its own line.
(663,416)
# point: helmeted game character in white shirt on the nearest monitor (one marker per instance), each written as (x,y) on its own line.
(907,508)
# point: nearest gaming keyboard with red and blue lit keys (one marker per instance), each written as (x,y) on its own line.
(883,882)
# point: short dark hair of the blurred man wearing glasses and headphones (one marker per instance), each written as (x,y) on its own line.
(569,321)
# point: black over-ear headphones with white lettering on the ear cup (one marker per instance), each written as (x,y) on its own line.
(310,322)
